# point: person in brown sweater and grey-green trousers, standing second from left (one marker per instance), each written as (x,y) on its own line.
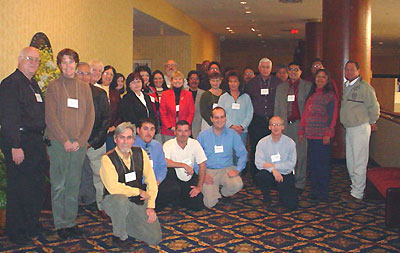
(69,119)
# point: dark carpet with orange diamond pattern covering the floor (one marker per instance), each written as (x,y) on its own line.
(247,225)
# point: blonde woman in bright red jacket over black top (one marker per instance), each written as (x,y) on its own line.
(176,104)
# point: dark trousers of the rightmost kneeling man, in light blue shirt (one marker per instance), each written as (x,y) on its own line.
(287,191)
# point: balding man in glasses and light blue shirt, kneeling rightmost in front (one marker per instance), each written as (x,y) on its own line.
(275,159)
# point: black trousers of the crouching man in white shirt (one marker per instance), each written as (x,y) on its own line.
(176,192)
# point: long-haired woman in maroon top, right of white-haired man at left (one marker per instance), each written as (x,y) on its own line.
(108,82)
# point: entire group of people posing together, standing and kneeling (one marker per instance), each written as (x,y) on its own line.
(128,148)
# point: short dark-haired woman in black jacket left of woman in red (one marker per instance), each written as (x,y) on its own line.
(136,105)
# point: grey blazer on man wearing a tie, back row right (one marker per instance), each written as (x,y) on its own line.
(281,98)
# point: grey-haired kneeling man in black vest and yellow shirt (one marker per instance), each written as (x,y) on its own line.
(128,199)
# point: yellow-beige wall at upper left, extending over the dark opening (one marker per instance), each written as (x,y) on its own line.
(94,28)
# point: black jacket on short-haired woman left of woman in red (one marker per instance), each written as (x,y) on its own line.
(132,110)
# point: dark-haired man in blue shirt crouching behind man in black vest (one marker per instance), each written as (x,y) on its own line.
(167,188)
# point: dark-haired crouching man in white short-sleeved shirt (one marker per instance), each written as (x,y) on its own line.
(189,160)
